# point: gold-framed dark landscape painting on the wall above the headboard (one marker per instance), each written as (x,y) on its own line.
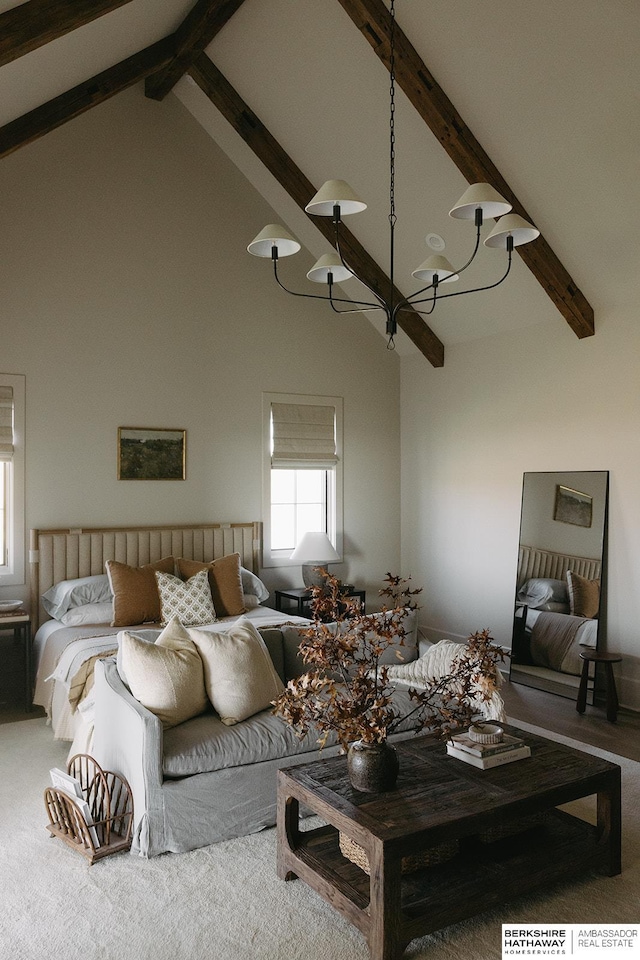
(146,453)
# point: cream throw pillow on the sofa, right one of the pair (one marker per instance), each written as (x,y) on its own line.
(239,675)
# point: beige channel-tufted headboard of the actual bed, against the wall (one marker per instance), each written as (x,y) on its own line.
(82,552)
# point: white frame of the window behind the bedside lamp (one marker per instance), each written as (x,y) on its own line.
(280,558)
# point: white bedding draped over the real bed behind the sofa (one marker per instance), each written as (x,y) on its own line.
(60,651)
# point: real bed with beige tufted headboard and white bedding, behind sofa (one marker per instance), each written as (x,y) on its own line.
(74,625)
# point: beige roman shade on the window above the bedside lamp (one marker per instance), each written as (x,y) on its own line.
(303,435)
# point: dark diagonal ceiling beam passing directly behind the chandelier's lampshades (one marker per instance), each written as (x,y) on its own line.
(288,174)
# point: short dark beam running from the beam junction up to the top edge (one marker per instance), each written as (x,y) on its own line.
(193,36)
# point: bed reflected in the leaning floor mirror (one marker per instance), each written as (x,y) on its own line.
(557,612)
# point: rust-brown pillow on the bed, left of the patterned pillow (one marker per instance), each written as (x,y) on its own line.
(135,591)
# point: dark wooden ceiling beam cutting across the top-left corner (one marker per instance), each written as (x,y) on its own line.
(27,27)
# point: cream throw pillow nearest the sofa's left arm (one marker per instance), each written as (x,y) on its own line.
(167,676)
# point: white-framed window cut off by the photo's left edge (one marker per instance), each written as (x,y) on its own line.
(12,416)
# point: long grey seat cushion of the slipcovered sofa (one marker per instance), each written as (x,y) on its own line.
(205,744)
